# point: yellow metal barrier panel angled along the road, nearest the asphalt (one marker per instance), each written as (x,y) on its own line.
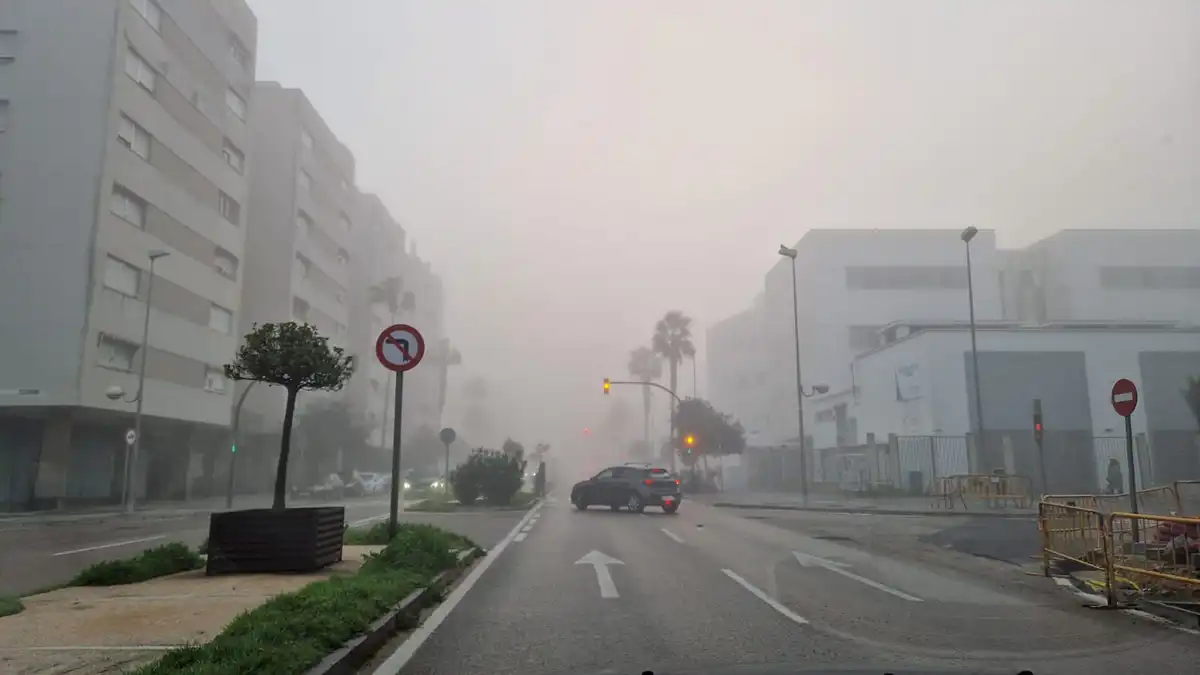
(1078,536)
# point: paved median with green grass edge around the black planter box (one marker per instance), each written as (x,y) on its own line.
(188,623)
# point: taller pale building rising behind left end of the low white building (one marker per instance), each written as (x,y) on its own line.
(853,283)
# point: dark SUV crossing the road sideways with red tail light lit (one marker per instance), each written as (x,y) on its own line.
(632,487)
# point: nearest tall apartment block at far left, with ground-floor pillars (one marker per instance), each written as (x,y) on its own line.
(123,135)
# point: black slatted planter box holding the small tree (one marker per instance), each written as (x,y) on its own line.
(293,540)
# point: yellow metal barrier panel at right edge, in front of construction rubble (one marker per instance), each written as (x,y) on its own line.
(1162,553)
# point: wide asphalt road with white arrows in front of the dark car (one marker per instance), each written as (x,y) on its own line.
(710,589)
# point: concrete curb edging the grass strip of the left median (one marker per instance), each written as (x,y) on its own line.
(356,654)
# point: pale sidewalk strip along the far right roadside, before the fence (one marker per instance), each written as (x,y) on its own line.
(838,504)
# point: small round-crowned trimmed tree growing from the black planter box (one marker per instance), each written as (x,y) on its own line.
(296,357)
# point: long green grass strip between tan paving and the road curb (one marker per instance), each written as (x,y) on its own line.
(293,632)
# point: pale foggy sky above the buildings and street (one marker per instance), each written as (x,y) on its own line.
(574,169)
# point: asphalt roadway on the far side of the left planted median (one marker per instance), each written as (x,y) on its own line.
(40,553)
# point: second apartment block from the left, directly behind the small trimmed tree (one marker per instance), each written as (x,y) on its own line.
(301,244)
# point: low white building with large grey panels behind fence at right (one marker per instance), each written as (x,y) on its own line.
(921,384)
